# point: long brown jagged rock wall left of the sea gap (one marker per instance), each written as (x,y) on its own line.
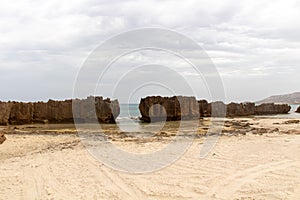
(92,109)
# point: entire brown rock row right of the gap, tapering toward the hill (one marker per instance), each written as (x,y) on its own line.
(157,108)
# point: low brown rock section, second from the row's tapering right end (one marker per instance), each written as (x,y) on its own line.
(240,109)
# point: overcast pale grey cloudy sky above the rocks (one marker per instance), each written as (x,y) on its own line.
(254,46)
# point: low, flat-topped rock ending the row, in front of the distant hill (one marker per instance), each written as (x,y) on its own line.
(272,109)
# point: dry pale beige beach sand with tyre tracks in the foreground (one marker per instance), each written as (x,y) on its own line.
(250,166)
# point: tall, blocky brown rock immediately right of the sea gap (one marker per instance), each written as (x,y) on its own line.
(175,108)
